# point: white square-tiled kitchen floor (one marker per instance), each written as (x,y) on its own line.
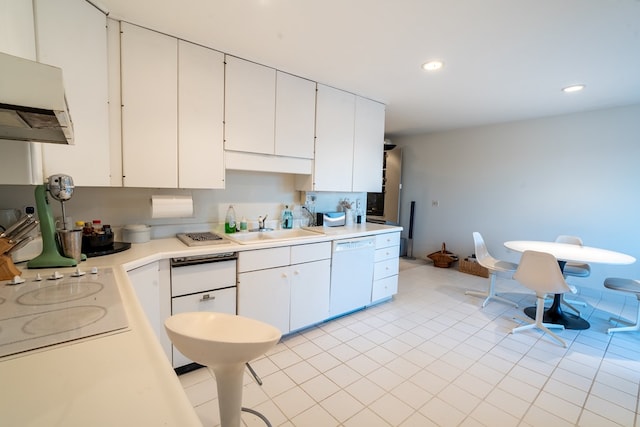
(433,357)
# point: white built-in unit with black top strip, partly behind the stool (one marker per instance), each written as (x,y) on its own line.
(202,283)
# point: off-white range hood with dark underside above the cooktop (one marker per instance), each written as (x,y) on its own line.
(33,106)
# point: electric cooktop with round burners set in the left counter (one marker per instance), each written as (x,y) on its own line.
(44,311)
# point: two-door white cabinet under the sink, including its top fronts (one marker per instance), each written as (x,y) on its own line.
(287,287)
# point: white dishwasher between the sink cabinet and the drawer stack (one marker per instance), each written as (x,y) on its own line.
(351,274)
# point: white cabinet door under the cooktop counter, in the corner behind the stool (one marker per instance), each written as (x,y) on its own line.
(152,293)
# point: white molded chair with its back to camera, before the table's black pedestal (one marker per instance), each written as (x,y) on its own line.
(540,272)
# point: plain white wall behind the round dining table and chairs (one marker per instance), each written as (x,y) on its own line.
(576,174)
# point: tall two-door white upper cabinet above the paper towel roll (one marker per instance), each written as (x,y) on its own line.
(172,111)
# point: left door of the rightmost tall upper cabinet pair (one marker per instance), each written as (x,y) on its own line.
(333,164)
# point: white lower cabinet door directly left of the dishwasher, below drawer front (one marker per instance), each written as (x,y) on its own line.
(310,286)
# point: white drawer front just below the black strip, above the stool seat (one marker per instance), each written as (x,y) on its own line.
(202,277)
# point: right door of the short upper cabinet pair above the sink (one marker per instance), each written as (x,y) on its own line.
(295,116)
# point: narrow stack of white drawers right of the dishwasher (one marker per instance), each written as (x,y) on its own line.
(385,269)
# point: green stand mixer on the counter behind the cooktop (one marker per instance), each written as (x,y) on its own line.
(60,187)
